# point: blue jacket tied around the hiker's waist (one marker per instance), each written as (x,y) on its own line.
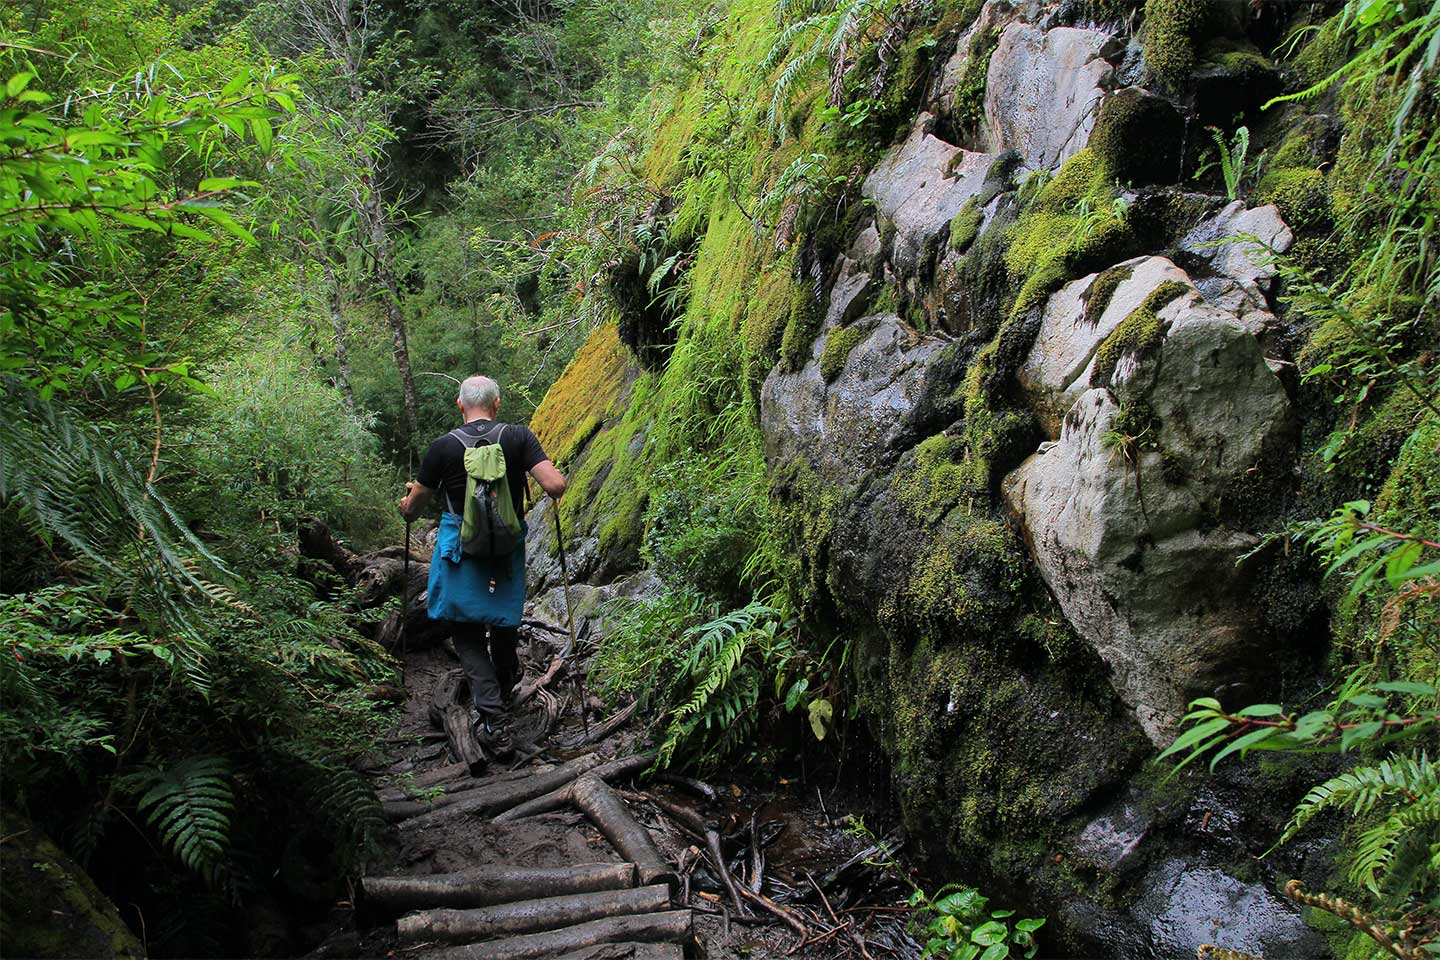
(460,585)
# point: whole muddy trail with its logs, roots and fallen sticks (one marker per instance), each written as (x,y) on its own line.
(535,857)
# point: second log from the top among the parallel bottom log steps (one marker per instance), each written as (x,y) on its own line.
(531,916)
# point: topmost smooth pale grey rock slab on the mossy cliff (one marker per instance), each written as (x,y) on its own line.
(1045,90)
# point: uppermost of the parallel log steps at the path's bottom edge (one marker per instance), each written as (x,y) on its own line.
(387,897)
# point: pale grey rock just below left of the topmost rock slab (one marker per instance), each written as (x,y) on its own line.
(919,188)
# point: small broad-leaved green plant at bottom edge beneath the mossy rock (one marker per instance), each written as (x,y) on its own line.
(955,923)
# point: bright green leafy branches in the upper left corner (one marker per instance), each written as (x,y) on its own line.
(100,189)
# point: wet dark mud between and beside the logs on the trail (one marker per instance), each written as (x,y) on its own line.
(814,864)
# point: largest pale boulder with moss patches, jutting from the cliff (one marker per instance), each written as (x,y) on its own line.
(1124,512)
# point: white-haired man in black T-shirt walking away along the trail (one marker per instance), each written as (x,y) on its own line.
(480,589)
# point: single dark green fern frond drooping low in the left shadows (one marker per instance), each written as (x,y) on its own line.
(189,805)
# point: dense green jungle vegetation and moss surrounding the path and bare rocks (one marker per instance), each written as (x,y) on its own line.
(246,245)
